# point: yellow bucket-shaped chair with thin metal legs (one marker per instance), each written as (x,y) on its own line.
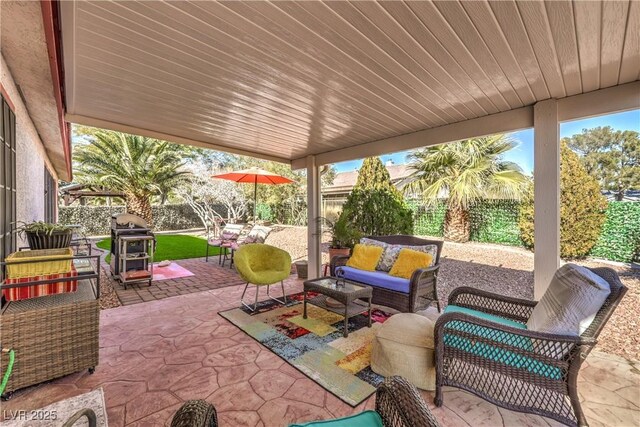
(262,265)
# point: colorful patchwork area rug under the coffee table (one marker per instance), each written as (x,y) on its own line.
(315,345)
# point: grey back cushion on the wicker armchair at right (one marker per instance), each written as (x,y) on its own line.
(574,297)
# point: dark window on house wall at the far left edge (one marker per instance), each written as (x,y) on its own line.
(7,180)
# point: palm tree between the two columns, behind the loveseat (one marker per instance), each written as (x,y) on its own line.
(464,172)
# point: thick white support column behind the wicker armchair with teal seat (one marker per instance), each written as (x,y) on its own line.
(546,194)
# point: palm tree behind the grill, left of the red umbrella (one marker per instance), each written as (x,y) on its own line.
(138,166)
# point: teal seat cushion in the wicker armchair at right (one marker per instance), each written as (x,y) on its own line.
(492,352)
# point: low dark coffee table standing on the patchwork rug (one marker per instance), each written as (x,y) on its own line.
(343,291)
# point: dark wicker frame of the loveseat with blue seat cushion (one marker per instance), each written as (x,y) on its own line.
(422,287)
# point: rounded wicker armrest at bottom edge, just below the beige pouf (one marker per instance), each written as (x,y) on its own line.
(399,404)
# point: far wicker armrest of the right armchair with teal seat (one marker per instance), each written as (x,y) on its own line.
(491,303)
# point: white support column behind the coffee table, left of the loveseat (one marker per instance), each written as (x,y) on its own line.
(314,204)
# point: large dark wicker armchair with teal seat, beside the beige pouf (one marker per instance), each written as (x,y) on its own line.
(483,346)
